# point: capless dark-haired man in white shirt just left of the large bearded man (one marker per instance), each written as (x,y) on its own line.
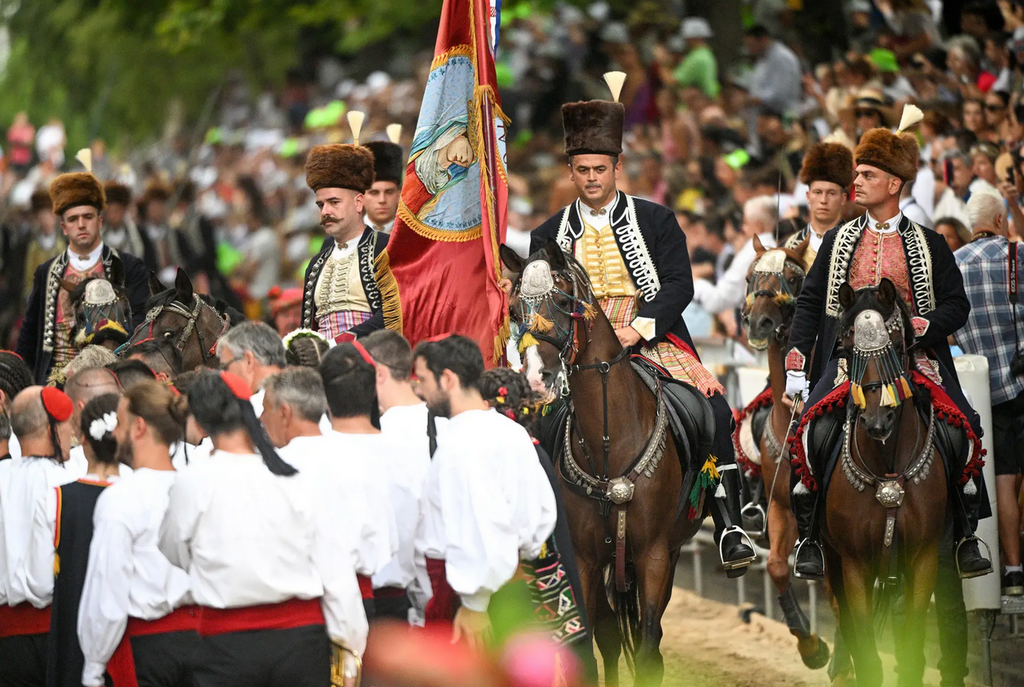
(404,419)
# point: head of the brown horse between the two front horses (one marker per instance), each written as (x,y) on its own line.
(774,283)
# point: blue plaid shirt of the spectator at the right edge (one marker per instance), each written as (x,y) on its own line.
(990,329)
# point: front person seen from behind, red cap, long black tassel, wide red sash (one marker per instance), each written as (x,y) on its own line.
(268,578)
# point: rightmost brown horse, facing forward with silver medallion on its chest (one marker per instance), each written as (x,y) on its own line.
(886,506)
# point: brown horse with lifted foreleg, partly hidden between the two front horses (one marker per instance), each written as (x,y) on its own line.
(774,284)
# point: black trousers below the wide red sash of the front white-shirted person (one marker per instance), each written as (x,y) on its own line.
(298,658)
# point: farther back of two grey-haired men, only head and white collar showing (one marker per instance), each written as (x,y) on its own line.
(253,352)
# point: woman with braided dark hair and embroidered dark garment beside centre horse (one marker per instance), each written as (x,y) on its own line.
(508,393)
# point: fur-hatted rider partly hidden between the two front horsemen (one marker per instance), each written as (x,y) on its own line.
(828,171)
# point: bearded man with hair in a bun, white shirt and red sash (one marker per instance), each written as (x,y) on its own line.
(135,603)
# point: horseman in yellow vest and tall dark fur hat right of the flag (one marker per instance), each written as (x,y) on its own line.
(635,255)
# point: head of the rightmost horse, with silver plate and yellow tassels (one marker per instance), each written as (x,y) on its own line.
(876,336)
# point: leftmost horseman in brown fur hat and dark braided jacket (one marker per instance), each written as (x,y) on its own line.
(46,340)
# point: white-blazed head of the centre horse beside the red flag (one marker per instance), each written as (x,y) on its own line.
(550,299)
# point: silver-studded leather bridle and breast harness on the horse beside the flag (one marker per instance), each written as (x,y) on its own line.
(537,290)
